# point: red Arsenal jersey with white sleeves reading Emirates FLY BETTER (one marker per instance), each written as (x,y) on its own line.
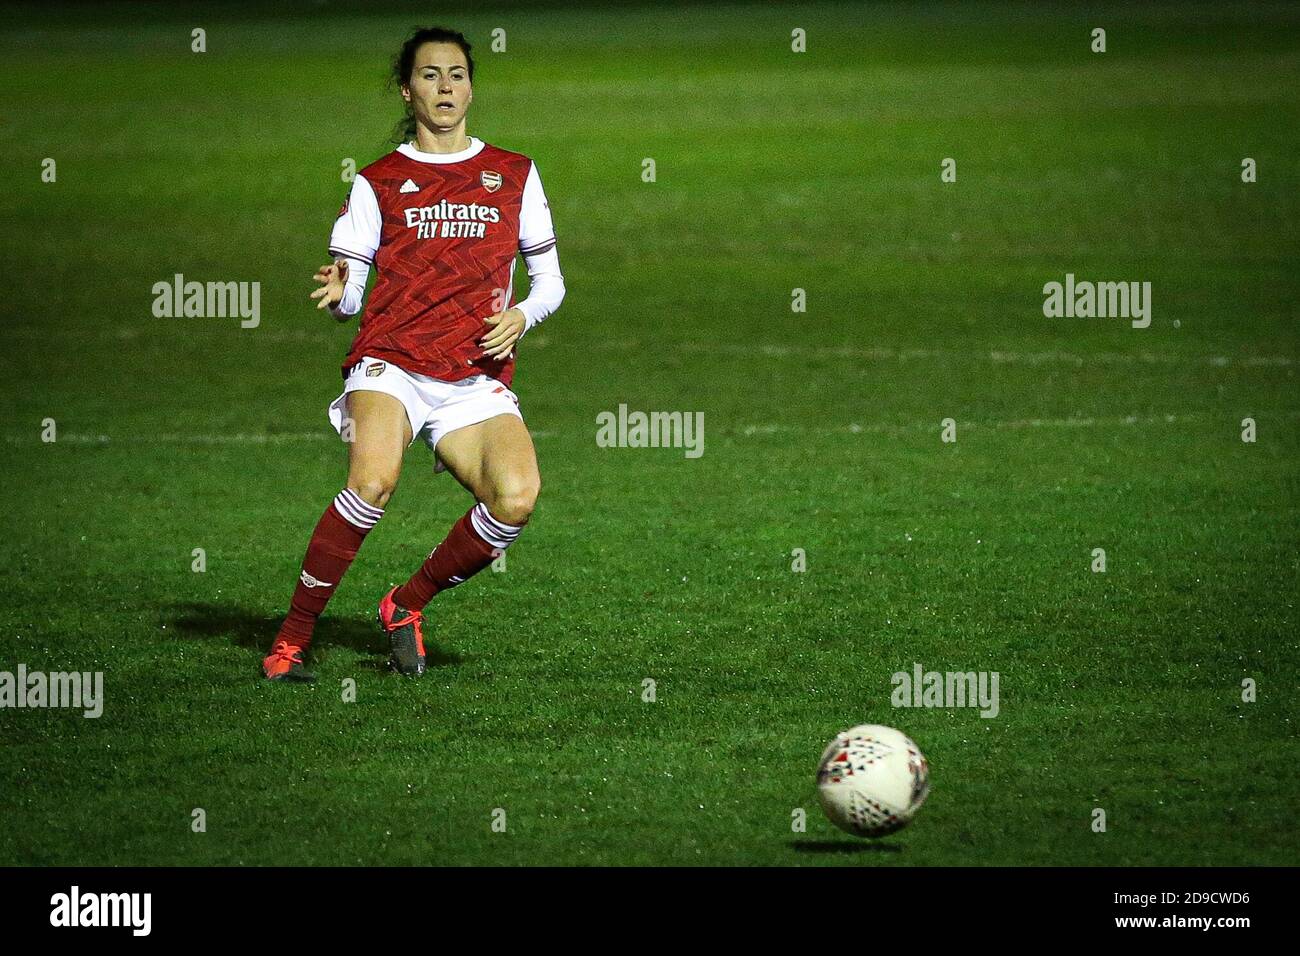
(443,231)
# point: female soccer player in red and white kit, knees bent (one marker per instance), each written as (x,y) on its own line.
(441,220)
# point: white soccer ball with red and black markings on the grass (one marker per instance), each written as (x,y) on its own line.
(872,781)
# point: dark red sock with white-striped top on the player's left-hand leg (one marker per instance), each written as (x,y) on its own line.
(335,543)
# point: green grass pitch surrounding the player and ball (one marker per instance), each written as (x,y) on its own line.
(775,171)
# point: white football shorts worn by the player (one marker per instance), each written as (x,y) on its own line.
(434,408)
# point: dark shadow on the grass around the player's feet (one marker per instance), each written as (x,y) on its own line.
(246,629)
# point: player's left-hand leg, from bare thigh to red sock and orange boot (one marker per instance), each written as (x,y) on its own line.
(379,432)
